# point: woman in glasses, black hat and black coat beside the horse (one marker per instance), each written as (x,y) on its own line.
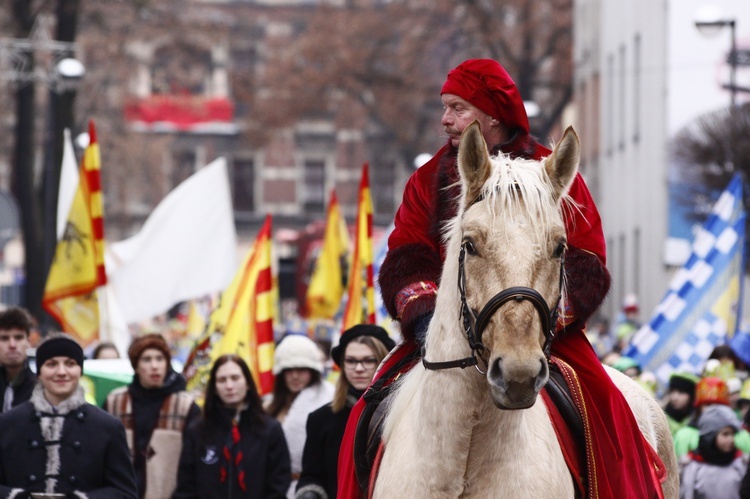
(358,354)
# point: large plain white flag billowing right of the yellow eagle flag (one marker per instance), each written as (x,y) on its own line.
(186,249)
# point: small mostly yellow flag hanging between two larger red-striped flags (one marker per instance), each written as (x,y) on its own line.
(328,281)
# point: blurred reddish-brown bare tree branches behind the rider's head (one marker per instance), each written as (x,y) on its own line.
(386,61)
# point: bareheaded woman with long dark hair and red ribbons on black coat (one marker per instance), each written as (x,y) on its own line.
(235,450)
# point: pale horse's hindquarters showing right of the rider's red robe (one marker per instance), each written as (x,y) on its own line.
(654,426)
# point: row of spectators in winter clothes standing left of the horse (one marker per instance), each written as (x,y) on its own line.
(151,440)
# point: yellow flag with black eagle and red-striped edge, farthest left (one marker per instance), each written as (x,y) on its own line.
(78,265)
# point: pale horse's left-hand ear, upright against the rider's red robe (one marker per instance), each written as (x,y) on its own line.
(473,162)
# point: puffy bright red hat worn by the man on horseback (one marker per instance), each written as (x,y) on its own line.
(486,85)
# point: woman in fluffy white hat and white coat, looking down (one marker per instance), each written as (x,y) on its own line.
(298,390)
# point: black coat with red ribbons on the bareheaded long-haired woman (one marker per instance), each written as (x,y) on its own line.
(265,461)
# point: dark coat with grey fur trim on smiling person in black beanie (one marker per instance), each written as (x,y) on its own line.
(92,458)
